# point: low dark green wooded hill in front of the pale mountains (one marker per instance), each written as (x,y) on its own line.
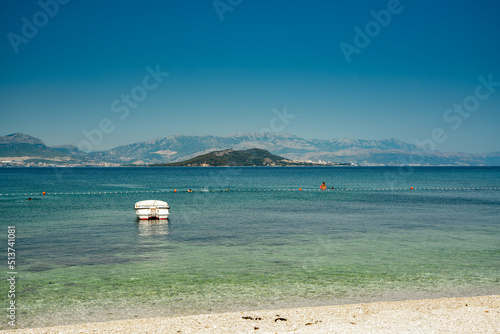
(230,157)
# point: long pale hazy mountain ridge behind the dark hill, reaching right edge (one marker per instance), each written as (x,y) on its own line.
(364,152)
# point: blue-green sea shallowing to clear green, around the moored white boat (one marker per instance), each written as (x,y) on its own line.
(244,239)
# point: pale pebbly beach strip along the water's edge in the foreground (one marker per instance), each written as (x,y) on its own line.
(446,315)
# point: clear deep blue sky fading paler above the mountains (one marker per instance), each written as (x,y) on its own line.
(343,69)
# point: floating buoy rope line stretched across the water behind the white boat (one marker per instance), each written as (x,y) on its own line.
(245,190)
